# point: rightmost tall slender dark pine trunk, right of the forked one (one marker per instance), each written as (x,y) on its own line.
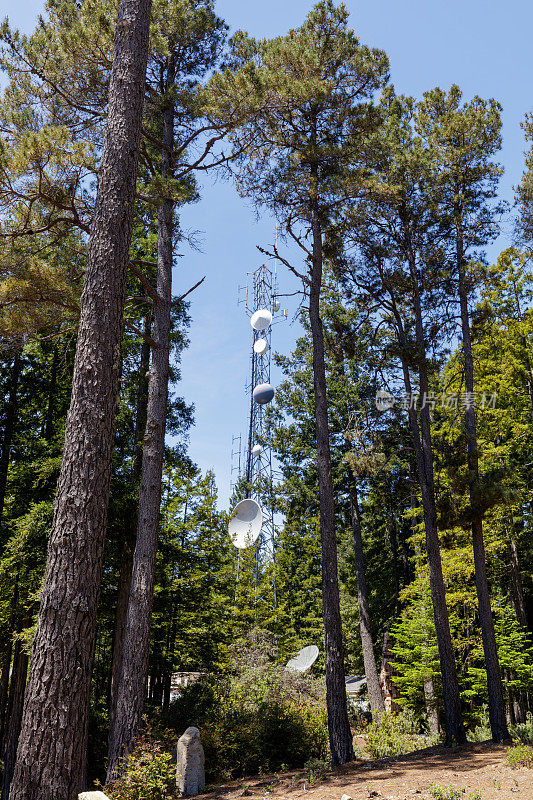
(498,722)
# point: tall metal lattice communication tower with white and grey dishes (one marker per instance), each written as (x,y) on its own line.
(261,305)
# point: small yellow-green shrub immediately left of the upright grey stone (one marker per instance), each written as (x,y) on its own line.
(149,774)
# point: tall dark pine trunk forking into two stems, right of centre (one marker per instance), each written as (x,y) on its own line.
(423,450)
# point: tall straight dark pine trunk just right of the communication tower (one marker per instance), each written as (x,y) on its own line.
(340,736)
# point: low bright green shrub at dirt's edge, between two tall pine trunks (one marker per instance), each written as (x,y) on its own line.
(395,735)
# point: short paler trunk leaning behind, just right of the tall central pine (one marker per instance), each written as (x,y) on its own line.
(369,659)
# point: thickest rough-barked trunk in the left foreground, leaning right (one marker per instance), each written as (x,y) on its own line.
(51,751)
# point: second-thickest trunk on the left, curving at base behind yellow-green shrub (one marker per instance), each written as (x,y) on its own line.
(132,685)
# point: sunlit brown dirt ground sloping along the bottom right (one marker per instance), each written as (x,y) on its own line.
(471,768)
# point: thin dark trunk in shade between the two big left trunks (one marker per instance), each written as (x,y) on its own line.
(128,544)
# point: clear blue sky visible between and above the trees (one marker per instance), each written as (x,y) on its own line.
(485,47)
